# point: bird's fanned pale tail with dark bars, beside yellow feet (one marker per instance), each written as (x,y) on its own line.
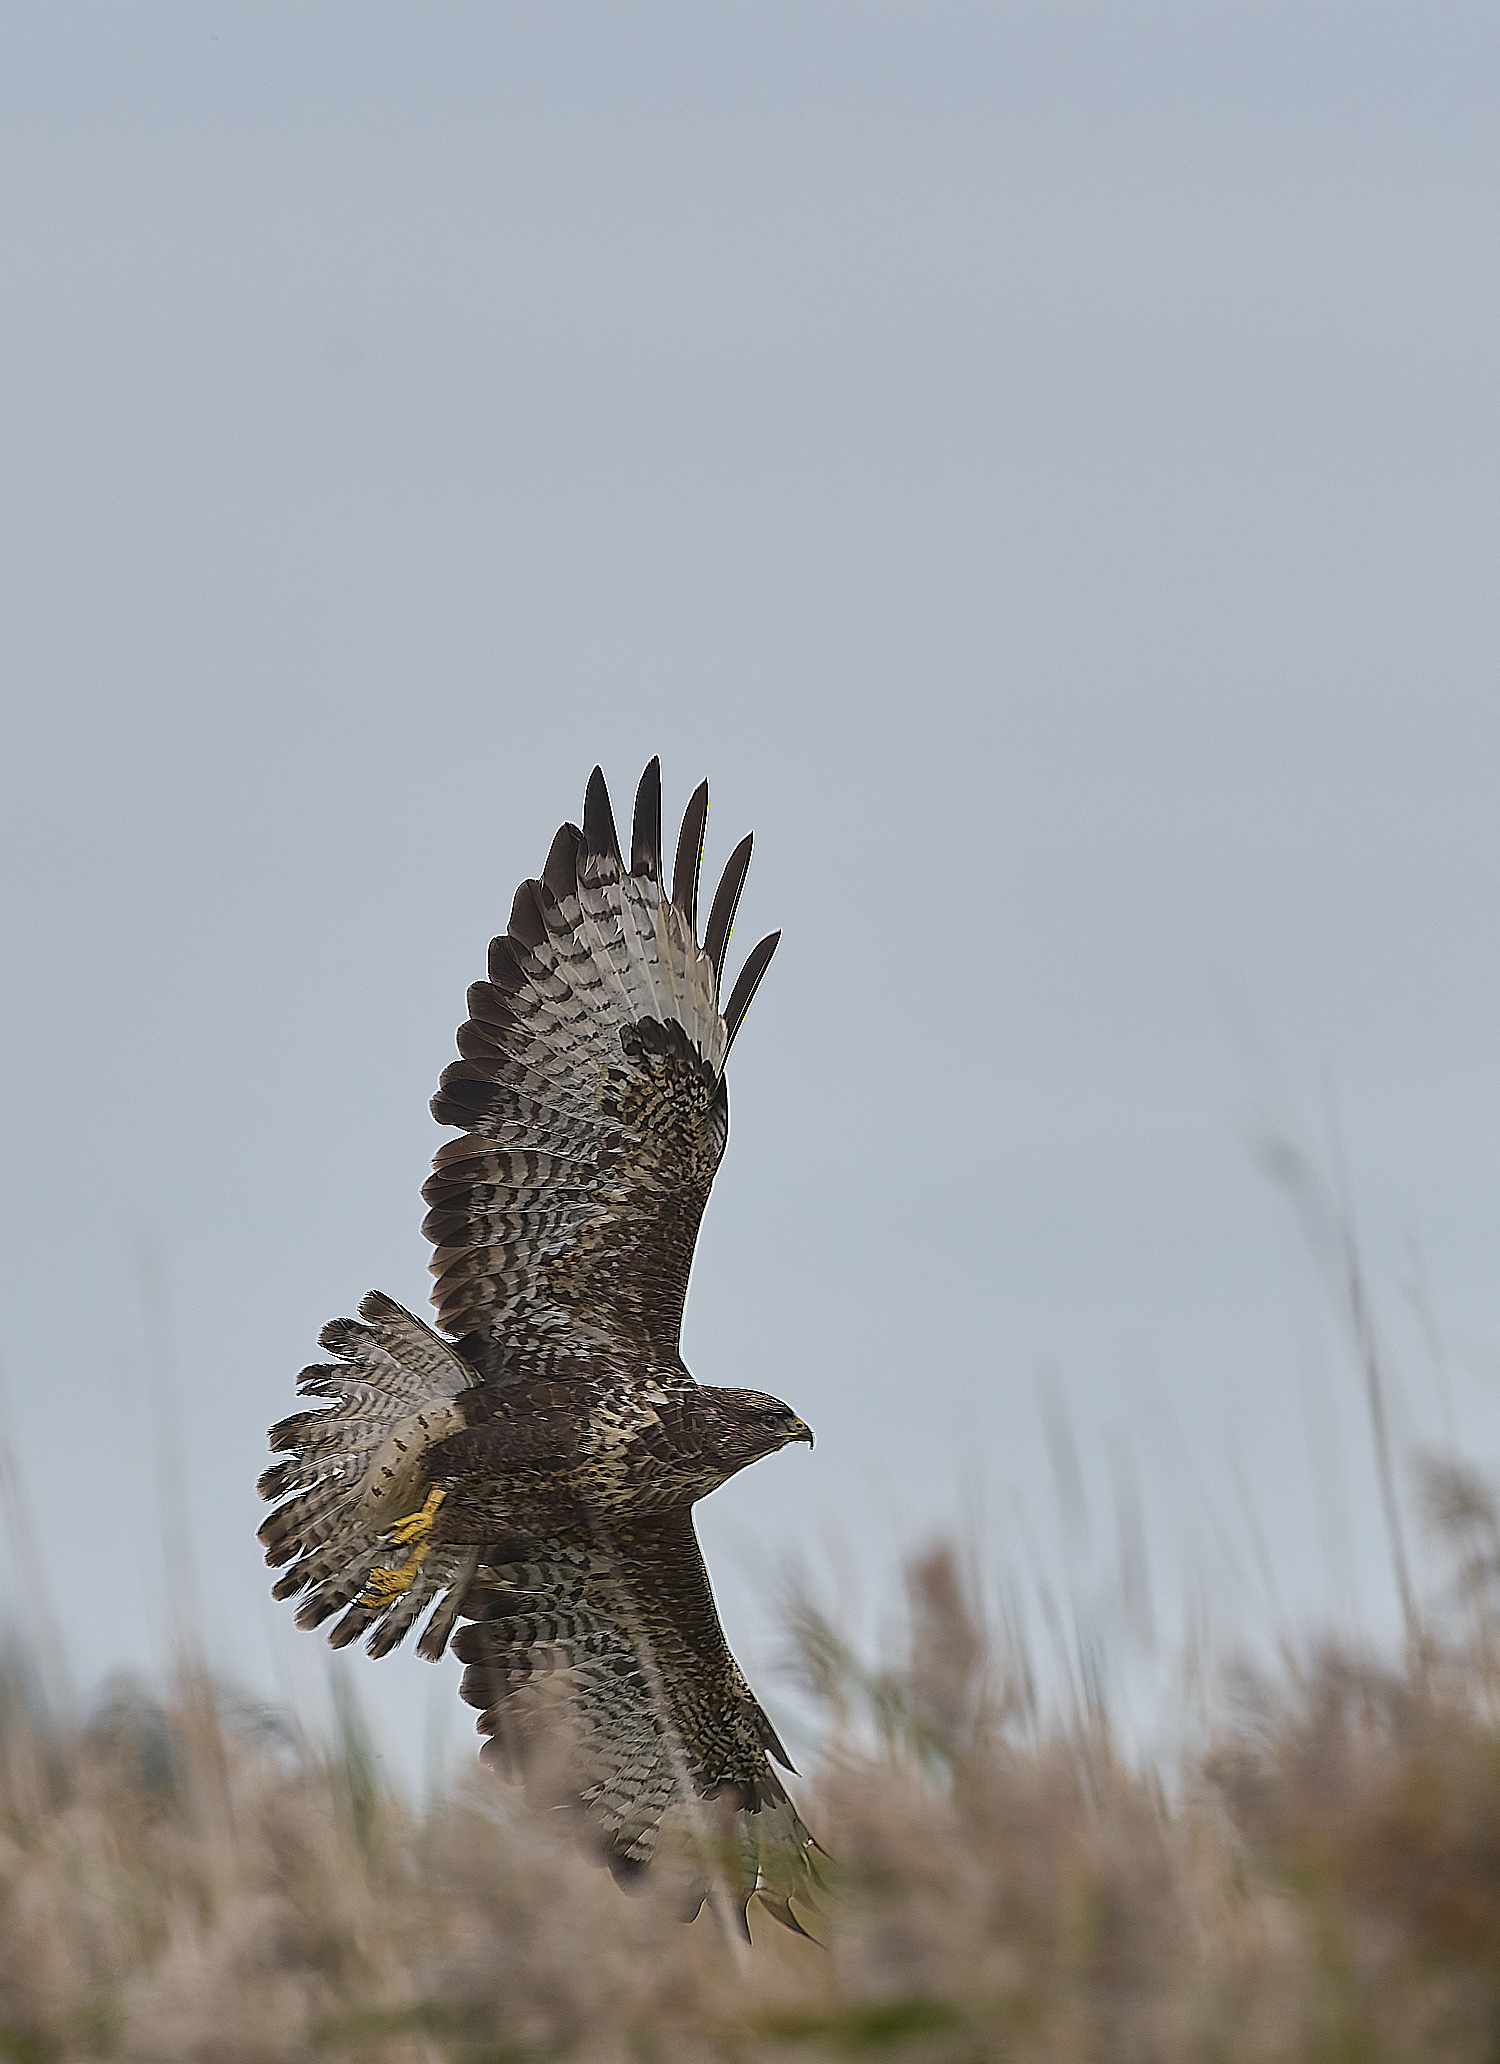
(354,1471)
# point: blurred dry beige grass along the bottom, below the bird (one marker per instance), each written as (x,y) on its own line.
(1324,1883)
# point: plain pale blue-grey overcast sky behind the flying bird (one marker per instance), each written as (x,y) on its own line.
(1037,459)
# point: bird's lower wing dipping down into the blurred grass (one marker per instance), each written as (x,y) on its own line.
(614,1636)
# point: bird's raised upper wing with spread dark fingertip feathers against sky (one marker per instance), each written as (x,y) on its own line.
(593,1101)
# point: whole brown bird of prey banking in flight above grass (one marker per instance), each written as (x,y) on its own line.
(531,1471)
